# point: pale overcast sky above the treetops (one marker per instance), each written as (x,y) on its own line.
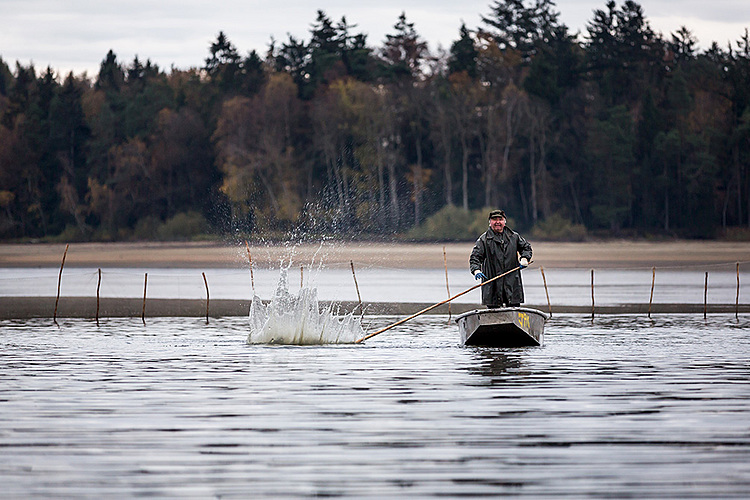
(75,35)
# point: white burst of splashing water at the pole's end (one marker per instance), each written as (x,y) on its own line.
(299,320)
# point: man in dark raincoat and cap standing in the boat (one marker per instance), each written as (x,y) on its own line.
(496,252)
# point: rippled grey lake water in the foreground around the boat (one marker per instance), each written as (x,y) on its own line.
(621,407)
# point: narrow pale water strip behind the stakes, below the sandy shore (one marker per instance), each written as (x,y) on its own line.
(566,287)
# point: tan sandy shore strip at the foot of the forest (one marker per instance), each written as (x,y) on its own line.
(600,255)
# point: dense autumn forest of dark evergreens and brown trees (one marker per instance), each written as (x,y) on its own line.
(614,132)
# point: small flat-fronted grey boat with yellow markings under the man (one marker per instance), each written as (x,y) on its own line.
(504,327)
